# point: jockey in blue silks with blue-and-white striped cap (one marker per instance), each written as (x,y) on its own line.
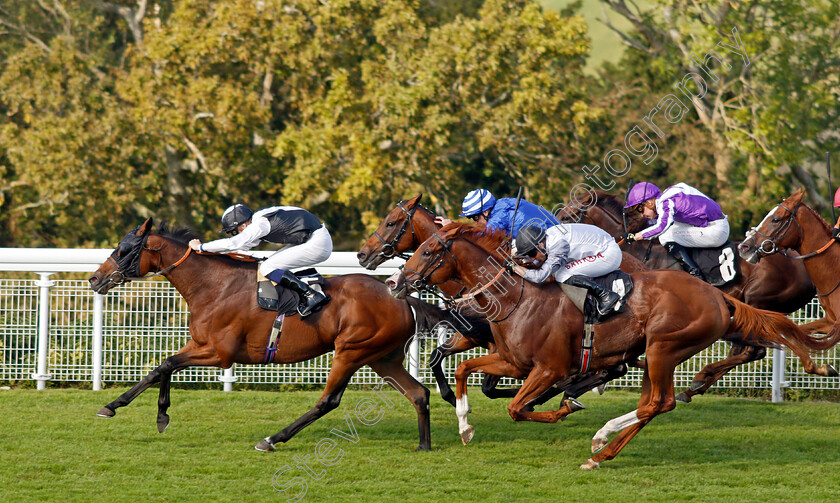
(481,206)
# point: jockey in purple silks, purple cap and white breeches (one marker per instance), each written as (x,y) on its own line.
(685,217)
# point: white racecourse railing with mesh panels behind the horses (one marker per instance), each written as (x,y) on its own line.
(56,329)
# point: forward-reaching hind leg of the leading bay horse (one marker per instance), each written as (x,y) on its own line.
(343,367)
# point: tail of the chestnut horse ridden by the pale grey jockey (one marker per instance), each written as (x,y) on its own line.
(776,328)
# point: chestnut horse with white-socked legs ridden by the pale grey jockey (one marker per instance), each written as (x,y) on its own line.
(670,317)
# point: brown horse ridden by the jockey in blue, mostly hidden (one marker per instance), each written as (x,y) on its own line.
(403,230)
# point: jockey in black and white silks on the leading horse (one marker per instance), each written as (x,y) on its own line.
(310,242)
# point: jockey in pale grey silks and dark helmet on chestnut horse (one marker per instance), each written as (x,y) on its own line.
(572,253)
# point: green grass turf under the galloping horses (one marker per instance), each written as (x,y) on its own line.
(53,448)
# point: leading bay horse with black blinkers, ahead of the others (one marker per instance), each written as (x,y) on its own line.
(363,324)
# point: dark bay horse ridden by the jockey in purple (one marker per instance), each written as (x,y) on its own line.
(778,284)
